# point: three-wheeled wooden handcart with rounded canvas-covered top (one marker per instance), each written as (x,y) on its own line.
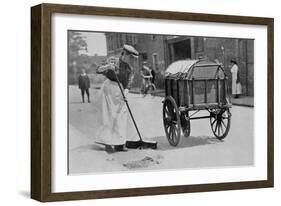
(192,86)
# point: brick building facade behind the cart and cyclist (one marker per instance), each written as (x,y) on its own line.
(161,50)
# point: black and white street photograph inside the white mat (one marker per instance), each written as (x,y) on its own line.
(139,102)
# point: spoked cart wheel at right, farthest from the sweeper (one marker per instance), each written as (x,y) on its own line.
(220,122)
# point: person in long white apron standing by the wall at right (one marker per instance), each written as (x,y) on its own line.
(236,84)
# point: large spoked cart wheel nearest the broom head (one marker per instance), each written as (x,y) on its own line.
(171,120)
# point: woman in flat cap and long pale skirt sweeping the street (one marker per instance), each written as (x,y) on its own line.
(116,125)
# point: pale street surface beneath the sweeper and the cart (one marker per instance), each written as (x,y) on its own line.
(200,150)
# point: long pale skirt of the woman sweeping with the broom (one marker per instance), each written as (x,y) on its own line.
(116,126)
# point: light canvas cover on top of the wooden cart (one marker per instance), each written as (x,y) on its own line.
(197,69)
